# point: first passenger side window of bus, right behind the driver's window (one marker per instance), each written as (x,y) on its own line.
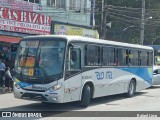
(92,55)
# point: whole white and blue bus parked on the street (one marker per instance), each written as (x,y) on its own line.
(60,69)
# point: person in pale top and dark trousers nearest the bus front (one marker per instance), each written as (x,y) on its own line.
(8,80)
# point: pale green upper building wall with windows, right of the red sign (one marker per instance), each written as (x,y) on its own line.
(78,12)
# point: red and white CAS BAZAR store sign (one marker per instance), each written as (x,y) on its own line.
(24,21)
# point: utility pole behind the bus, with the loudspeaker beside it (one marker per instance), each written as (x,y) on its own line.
(104,18)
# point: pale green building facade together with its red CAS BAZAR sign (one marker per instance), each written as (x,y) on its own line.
(25,17)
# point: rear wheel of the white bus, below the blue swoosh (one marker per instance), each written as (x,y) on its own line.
(131,88)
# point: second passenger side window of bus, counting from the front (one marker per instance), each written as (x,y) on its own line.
(108,56)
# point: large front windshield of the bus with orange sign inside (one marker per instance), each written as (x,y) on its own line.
(40,59)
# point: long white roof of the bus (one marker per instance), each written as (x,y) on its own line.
(93,40)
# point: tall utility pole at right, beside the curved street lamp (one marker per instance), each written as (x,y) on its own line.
(142,23)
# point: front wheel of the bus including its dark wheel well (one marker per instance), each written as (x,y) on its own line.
(87,94)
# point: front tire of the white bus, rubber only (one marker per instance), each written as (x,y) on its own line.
(86,96)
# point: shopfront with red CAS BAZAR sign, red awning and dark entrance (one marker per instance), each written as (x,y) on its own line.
(15,24)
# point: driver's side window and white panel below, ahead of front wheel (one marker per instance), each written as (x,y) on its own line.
(73,75)
